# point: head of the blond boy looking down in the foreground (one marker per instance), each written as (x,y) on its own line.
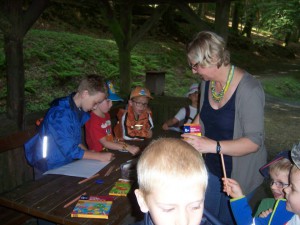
(172,181)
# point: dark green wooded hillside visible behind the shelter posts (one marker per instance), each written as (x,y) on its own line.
(69,41)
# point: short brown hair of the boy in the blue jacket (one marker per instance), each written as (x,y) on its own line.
(93,83)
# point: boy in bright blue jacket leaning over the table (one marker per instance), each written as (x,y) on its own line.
(59,138)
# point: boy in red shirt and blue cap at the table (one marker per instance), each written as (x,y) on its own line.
(98,129)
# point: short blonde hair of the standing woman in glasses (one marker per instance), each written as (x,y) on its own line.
(208,48)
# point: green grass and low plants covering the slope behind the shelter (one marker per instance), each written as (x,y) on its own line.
(55,61)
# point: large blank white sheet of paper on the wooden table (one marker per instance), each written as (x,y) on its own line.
(79,168)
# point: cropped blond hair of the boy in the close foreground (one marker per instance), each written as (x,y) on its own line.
(169,159)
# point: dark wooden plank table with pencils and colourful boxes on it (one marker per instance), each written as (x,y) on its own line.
(45,198)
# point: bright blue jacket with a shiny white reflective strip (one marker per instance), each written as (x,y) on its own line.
(62,126)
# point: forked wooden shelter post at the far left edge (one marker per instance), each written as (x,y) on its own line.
(16,18)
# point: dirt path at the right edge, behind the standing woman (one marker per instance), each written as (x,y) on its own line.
(282,119)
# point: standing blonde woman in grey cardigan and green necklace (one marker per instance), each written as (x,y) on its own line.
(232,116)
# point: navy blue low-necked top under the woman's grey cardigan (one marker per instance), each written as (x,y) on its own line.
(219,125)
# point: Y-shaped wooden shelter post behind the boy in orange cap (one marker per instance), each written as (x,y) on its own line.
(122,32)
